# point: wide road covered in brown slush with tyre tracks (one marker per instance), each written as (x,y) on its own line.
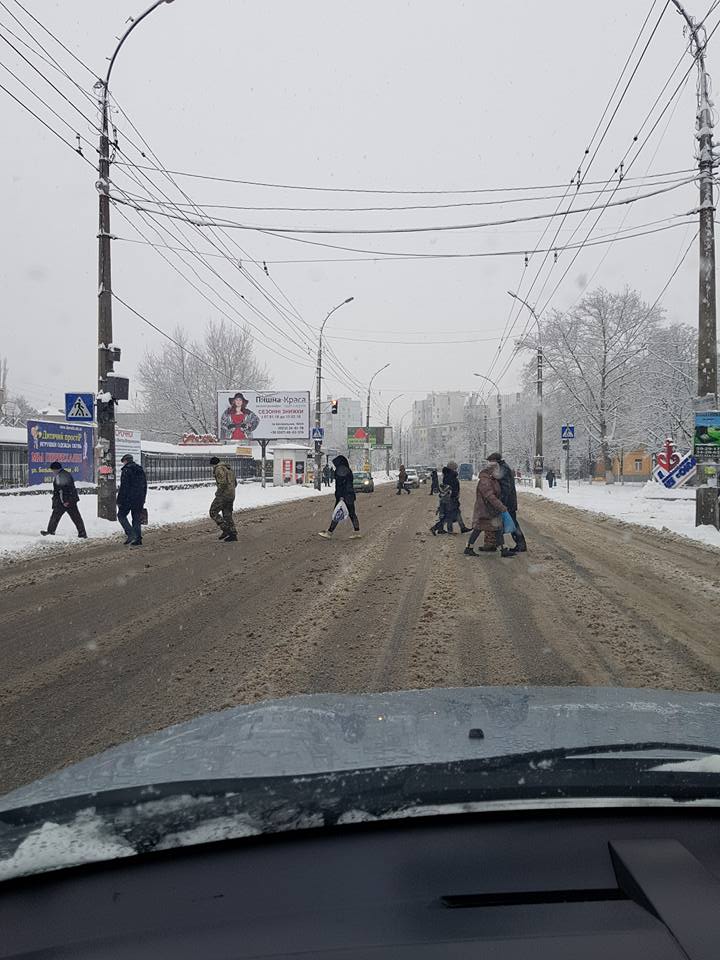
(100,643)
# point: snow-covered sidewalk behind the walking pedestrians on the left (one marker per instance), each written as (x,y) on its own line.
(22,518)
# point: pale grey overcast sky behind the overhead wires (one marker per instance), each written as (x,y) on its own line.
(379,95)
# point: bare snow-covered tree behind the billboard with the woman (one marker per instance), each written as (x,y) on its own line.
(180,381)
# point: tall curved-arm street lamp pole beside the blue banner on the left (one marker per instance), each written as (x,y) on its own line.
(106,480)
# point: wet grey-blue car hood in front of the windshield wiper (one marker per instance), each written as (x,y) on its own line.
(330,733)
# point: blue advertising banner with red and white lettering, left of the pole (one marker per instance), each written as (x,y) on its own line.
(69,443)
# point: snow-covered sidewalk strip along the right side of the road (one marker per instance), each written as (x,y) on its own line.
(648,505)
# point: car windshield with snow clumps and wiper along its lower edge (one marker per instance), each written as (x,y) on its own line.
(225,342)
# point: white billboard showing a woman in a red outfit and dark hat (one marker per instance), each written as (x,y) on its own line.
(263,415)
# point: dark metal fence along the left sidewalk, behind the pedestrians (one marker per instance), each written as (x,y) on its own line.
(159,467)
